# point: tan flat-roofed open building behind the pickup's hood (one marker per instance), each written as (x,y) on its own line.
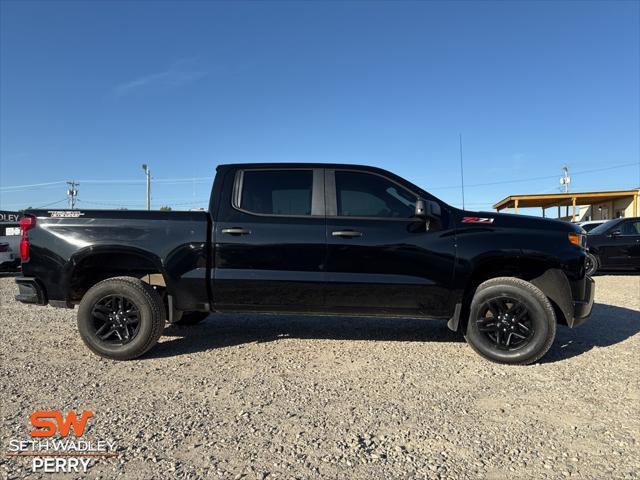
(578,206)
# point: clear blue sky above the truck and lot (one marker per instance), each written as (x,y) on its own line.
(91,90)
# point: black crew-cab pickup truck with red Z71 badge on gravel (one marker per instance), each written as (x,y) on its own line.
(314,239)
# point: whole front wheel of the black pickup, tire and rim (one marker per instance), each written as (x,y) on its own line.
(520,309)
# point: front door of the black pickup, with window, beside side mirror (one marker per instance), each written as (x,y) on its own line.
(380,258)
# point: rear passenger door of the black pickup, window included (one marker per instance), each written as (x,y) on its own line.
(269,241)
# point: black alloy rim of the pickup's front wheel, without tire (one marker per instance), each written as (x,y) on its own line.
(506,322)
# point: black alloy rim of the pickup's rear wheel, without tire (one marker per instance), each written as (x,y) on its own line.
(116,319)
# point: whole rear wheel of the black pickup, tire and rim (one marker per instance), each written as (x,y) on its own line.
(121,329)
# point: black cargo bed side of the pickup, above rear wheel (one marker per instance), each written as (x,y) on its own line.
(173,244)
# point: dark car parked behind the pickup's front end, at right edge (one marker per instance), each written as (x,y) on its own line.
(614,245)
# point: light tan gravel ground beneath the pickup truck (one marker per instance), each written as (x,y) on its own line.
(286,397)
